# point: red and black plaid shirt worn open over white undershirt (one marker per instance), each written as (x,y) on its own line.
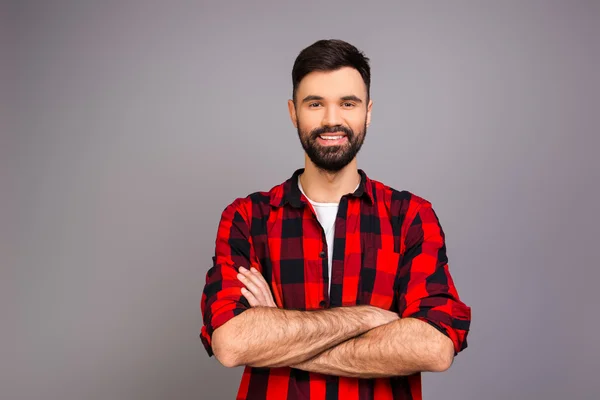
(389,252)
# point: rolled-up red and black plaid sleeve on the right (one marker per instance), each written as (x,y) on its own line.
(426,290)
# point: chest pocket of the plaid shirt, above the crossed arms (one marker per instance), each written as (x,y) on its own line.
(378,277)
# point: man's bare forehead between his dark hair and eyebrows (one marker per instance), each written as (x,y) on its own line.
(342,82)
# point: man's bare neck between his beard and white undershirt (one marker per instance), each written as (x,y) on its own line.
(328,187)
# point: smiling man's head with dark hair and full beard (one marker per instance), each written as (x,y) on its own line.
(331,106)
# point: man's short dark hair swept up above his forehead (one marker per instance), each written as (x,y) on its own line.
(330,55)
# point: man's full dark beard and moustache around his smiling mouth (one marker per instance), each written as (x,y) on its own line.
(332,158)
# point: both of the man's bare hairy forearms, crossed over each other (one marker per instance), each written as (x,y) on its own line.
(361,341)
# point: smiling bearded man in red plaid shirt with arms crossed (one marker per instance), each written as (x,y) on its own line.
(332,285)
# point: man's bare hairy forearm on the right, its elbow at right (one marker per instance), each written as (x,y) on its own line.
(402,347)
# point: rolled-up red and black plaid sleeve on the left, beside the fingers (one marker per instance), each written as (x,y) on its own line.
(222,298)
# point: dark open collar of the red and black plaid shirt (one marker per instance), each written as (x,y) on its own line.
(289,192)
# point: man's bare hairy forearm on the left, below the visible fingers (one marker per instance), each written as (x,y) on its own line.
(271,337)
